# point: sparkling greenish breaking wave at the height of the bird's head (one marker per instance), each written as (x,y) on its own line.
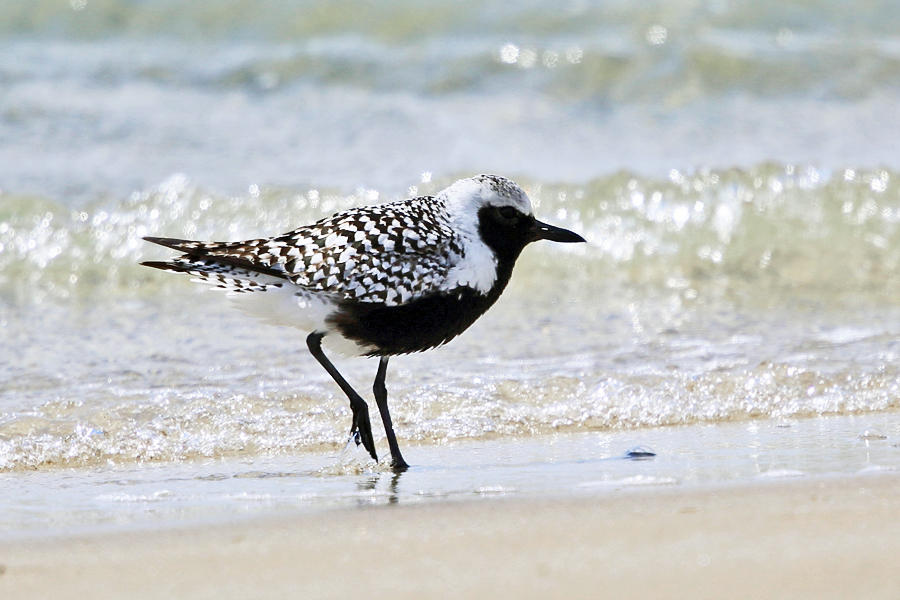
(785,228)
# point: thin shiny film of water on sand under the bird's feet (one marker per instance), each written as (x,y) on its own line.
(564,465)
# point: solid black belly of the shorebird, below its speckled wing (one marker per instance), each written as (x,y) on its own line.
(418,325)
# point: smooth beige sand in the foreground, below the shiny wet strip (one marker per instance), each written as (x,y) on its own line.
(825,537)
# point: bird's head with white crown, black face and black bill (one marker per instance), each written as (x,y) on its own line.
(500,212)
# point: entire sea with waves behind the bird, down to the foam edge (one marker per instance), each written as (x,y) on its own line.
(734,166)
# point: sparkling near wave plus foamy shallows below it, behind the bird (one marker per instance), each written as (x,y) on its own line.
(714,297)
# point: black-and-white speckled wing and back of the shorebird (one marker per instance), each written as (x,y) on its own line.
(387,254)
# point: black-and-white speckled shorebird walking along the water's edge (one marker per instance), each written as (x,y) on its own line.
(380,280)
